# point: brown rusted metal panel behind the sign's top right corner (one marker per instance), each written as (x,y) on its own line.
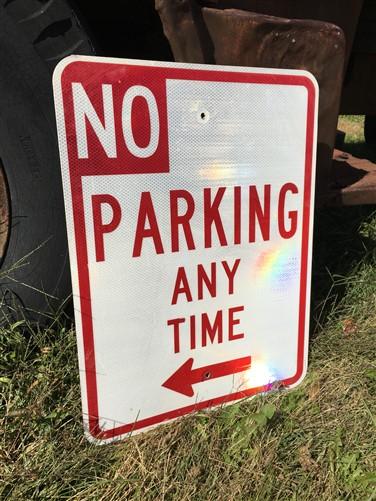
(238,37)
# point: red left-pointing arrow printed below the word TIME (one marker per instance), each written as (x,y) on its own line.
(182,380)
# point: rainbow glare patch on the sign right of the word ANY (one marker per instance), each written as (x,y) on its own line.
(278,266)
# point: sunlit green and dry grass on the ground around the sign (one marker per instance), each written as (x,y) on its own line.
(314,442)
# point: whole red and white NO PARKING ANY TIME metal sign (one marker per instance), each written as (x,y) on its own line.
(189,198)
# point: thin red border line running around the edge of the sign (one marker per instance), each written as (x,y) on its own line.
(89,70)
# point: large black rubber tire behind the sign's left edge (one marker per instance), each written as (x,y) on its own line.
(34,36)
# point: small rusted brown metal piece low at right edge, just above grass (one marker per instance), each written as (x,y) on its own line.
(354,180)
